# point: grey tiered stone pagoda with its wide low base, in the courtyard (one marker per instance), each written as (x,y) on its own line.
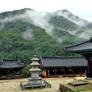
(35,81)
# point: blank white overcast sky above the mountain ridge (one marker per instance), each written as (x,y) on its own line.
(82,8)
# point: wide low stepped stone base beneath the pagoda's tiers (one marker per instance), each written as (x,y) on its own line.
(35,83)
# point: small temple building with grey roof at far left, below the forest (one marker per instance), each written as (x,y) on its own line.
(9,69)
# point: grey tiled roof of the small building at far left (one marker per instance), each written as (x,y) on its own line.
(11,64)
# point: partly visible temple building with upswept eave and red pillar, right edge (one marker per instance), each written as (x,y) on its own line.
(85,49)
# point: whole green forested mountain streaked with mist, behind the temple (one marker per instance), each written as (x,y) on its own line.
(23,30)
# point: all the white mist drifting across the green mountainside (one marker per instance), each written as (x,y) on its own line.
(41,19)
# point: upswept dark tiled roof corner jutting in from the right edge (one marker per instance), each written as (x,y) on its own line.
(82,47)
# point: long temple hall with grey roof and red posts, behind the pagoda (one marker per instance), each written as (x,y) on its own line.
(63,66)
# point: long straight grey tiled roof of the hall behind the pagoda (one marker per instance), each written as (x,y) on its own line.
(64,62)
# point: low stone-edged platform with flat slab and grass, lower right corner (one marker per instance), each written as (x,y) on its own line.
(75,85)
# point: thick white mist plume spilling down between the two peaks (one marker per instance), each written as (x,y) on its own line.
(41,19)
